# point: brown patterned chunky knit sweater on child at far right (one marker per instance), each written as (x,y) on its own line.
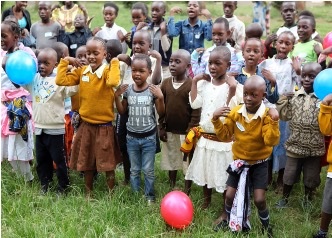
(302,110)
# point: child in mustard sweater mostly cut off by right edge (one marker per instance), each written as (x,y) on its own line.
(325,125)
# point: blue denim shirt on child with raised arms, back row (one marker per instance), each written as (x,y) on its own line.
(191,37)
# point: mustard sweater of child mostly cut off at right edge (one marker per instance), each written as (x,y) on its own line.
(325,126)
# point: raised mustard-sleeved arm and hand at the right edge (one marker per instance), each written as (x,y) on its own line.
(325,115)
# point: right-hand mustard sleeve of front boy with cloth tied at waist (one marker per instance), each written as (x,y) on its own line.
(270,131)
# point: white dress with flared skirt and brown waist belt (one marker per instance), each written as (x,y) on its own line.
(211,158)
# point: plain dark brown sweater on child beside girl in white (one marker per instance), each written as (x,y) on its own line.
(179,116)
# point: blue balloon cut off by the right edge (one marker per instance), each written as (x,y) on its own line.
(323,84)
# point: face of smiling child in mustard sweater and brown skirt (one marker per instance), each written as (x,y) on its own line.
(95,53)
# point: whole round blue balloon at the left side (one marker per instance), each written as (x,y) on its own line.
(20,67)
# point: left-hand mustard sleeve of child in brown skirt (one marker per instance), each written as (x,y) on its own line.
(67,79)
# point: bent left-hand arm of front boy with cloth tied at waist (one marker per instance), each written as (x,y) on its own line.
(224,131)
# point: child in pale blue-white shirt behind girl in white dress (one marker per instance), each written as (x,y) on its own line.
(220,34)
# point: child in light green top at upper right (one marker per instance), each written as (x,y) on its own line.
(307,49)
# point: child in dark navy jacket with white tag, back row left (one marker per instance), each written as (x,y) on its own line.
(78,37)
